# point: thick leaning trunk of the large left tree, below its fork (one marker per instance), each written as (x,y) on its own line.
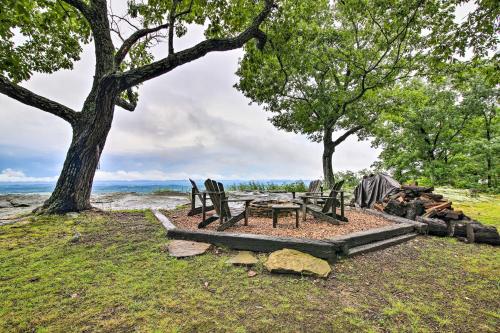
(74,186)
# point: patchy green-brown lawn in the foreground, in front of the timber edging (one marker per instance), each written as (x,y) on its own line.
(117,278)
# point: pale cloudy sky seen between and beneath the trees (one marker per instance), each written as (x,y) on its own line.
(190,122)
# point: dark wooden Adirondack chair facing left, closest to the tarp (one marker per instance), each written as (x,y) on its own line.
(328,211)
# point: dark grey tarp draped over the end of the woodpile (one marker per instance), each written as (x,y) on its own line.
(375,188)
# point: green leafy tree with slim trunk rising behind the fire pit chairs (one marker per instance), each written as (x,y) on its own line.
(316,73)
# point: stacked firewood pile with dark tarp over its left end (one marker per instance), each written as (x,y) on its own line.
(383,193)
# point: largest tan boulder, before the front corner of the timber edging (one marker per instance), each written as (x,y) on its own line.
(296,262)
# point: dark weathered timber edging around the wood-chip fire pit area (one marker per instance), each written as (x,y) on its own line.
(329,249)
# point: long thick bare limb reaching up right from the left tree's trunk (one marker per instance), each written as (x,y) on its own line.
(136,76)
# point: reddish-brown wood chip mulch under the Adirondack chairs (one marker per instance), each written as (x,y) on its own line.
(311,228)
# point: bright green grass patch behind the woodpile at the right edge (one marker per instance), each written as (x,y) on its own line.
(484,208)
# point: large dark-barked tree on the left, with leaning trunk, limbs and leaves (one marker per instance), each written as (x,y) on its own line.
(47,35)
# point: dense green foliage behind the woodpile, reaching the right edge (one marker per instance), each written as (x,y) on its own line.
(444,132)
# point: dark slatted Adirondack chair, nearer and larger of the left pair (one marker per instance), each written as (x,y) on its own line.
(218,197)
